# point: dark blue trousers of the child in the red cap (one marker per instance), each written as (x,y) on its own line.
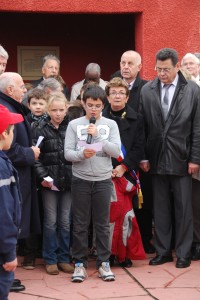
(6,280)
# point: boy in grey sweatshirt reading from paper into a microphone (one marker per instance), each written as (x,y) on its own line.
(90,142)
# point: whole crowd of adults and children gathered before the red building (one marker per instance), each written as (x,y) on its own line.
(95,169)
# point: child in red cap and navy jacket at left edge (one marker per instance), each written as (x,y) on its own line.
(10,199)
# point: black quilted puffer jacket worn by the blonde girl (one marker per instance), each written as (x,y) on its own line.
(51,161)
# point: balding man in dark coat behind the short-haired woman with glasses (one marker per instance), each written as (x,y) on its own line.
(130,66)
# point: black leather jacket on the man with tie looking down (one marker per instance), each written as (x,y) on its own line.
(173,143)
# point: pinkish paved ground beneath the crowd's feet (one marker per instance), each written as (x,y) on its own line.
(141,282)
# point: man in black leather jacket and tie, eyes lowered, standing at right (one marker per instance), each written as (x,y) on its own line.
(171,108)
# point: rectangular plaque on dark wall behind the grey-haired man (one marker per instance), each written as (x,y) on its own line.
(30,60)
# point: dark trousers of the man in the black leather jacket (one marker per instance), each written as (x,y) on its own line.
(181,187)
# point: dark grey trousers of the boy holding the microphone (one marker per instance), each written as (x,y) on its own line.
(87,196)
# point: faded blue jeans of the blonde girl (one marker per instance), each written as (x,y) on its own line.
(56,226)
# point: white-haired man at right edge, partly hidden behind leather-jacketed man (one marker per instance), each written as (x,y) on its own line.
(191,63)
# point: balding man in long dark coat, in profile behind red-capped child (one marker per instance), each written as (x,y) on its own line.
(23,155)
